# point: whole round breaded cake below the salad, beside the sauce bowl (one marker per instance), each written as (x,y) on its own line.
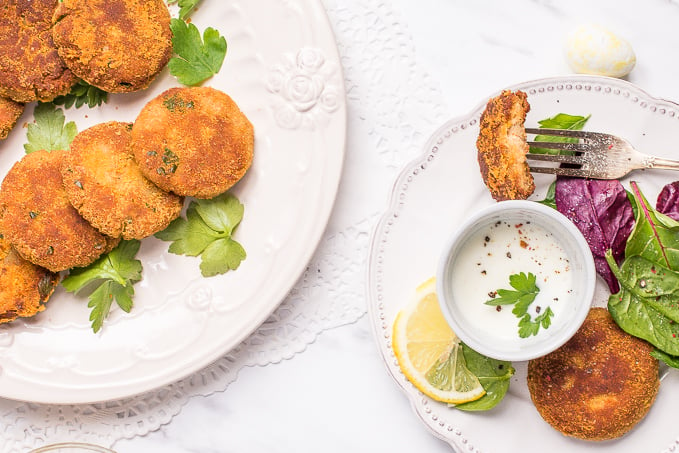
(597,386)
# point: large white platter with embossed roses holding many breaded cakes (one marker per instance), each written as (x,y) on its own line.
(283,69)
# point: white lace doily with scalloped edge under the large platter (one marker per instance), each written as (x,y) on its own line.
(393,107)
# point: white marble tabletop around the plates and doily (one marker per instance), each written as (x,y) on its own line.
(336,395)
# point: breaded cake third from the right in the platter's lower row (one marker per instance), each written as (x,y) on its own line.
(38,219)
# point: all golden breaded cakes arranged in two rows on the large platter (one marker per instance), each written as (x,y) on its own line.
(65,208)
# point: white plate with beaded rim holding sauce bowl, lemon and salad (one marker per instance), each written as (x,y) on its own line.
(443,186)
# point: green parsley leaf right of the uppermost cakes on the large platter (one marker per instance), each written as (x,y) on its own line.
(197,59)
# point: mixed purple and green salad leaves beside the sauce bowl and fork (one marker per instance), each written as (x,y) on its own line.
(635,248)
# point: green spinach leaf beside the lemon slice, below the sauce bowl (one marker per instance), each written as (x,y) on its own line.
(494,376)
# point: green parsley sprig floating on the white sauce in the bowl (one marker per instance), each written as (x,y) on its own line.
(522,296)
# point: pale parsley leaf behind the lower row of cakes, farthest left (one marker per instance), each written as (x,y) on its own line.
(49,131)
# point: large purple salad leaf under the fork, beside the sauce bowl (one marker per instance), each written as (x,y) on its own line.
(604,215)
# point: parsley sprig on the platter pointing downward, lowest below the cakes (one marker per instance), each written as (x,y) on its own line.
(113,276)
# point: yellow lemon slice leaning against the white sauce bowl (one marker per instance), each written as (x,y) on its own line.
(429,353)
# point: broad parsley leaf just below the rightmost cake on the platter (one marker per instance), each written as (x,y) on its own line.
(207,232)
